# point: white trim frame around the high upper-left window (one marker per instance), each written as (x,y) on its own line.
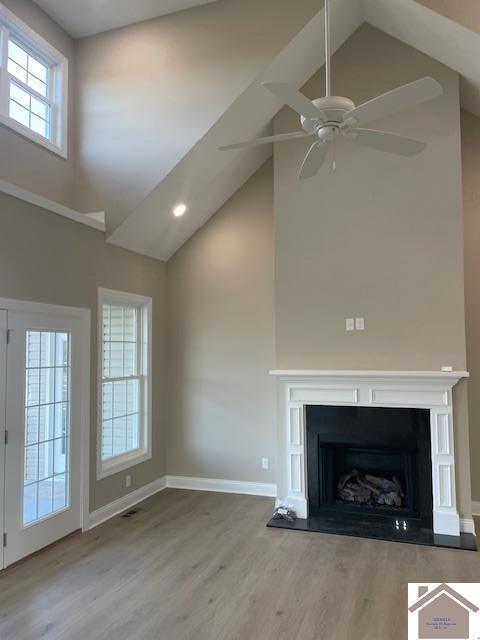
(58,64)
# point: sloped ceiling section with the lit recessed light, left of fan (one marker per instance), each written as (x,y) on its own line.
(206,178)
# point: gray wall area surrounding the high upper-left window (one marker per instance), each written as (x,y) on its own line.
(25,163)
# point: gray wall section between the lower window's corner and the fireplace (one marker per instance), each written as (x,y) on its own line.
(220,305)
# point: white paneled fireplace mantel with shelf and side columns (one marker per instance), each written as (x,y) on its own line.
(430,390)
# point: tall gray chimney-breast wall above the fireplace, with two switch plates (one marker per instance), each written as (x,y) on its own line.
(381,237)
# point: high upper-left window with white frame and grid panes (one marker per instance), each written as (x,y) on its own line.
(33,85)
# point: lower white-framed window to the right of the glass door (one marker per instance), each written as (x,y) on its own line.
(124,412)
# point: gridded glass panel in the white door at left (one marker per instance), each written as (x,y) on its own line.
(47,425)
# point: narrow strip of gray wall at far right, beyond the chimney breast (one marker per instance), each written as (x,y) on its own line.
(471,209)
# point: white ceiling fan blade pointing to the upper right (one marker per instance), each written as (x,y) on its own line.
(397,100)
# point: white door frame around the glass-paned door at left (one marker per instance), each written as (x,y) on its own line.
(10,304)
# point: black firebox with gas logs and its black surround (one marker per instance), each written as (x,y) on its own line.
(369,464)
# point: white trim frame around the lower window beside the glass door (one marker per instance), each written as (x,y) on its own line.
(126,461)
